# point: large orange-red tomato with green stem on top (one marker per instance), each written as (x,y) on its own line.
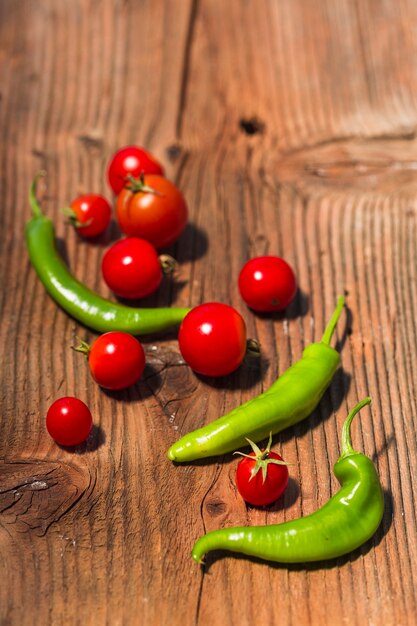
(152,208)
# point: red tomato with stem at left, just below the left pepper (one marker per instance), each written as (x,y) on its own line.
(116,360)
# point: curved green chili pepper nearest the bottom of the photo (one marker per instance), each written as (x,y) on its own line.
(343,524)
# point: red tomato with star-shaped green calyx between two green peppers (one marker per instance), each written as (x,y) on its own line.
(262,476)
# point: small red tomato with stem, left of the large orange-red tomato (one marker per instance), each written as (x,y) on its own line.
(91,214)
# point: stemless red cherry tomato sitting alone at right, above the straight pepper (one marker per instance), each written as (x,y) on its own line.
(267,283)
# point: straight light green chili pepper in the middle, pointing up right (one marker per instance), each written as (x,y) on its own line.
(289,400)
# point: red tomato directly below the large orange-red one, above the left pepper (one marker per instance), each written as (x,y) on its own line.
(132,268)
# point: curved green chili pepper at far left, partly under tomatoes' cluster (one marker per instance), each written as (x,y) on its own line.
(75,298)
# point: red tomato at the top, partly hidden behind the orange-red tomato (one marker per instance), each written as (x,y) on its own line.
(131,160)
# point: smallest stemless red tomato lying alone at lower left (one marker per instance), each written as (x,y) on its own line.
(69,421)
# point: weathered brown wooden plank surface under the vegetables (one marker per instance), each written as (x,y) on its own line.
(291,127)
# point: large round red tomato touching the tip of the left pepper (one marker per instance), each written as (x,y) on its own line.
(212,339)
